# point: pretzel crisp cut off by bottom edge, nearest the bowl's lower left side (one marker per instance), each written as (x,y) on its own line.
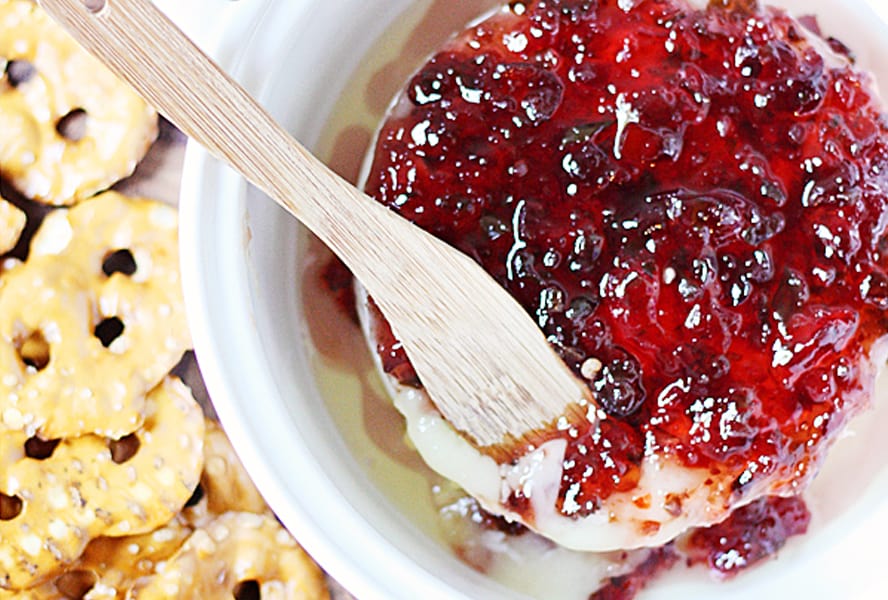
(234,550)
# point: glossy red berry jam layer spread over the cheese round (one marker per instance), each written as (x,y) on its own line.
(693,202)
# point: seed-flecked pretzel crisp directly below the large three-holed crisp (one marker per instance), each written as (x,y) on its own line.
(86,487)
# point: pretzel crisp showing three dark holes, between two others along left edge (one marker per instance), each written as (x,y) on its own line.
(92,320)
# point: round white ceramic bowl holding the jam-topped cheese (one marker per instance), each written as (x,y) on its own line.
(241,259)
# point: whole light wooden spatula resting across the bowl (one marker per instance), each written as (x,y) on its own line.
(483,361)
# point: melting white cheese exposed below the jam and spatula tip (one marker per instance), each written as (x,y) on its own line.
(669,498)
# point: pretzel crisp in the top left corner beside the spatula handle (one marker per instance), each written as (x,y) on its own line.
(70,127)
